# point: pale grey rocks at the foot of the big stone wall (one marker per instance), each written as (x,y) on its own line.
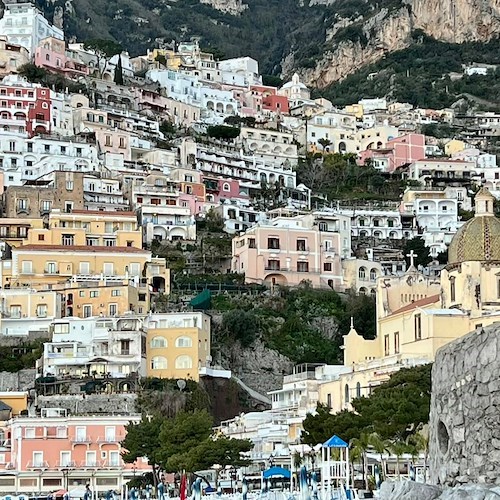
(408,490)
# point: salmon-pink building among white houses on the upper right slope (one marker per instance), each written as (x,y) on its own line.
(397,152)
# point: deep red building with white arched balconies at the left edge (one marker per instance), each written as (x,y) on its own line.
(25,109)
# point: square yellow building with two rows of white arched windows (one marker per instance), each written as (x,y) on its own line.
(178,345)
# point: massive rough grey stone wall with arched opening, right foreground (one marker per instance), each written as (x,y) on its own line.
(465,410)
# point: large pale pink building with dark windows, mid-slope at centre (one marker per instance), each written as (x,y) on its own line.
(289,250)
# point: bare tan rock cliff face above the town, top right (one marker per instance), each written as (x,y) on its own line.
(371,36)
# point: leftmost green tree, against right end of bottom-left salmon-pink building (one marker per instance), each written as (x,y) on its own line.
(143,440)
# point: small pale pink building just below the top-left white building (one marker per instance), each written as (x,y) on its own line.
(52,55)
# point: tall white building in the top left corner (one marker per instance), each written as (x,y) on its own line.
(24,25)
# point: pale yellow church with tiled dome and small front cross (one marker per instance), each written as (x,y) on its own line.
(430,314)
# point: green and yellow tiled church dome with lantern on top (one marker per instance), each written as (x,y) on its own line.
(479,238)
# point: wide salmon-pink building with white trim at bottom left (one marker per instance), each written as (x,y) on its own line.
(55,452)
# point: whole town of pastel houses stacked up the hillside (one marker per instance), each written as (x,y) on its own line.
(134,190)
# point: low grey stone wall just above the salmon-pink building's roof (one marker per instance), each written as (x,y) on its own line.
(123,404)
